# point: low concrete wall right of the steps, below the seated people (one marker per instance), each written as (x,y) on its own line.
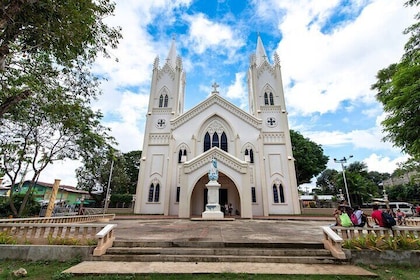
(401,257)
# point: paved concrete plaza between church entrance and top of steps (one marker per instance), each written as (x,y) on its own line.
(282,230)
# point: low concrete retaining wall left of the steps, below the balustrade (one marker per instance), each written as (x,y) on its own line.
(45,252)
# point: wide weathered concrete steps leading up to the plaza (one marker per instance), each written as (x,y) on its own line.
(211,252)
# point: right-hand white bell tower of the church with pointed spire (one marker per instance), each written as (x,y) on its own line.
(267,102)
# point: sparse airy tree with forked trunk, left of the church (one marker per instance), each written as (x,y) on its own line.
(45,132)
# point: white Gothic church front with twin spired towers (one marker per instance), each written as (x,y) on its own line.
(253,149)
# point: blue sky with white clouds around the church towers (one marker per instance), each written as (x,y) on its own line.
(330,52)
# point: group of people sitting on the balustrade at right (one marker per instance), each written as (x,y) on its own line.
(347,216)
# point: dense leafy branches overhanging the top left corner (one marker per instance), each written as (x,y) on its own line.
(69,33)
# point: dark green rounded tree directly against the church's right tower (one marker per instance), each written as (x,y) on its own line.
(309,156)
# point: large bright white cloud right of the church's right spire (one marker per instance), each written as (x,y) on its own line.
(330,68)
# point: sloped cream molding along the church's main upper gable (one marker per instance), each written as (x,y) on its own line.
(215,99)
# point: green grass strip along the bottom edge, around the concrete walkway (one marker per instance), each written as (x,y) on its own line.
(52,270)
